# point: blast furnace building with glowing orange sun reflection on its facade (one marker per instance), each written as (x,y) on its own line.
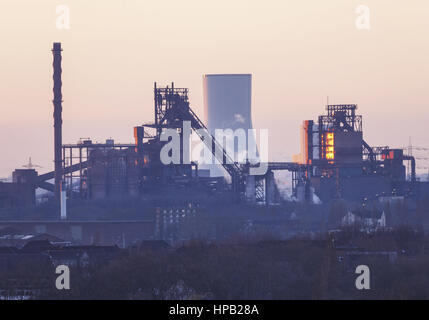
(341,165)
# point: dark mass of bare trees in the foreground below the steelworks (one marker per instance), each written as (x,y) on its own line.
(292,269)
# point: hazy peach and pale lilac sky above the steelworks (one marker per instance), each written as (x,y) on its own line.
(299,52)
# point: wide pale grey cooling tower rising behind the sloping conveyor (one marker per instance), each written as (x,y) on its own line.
(227,105)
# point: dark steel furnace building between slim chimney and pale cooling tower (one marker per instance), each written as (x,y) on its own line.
(109,170)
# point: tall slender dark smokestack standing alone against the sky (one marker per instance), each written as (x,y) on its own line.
(56,51)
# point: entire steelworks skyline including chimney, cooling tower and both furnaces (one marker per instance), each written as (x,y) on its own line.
(335,161)
